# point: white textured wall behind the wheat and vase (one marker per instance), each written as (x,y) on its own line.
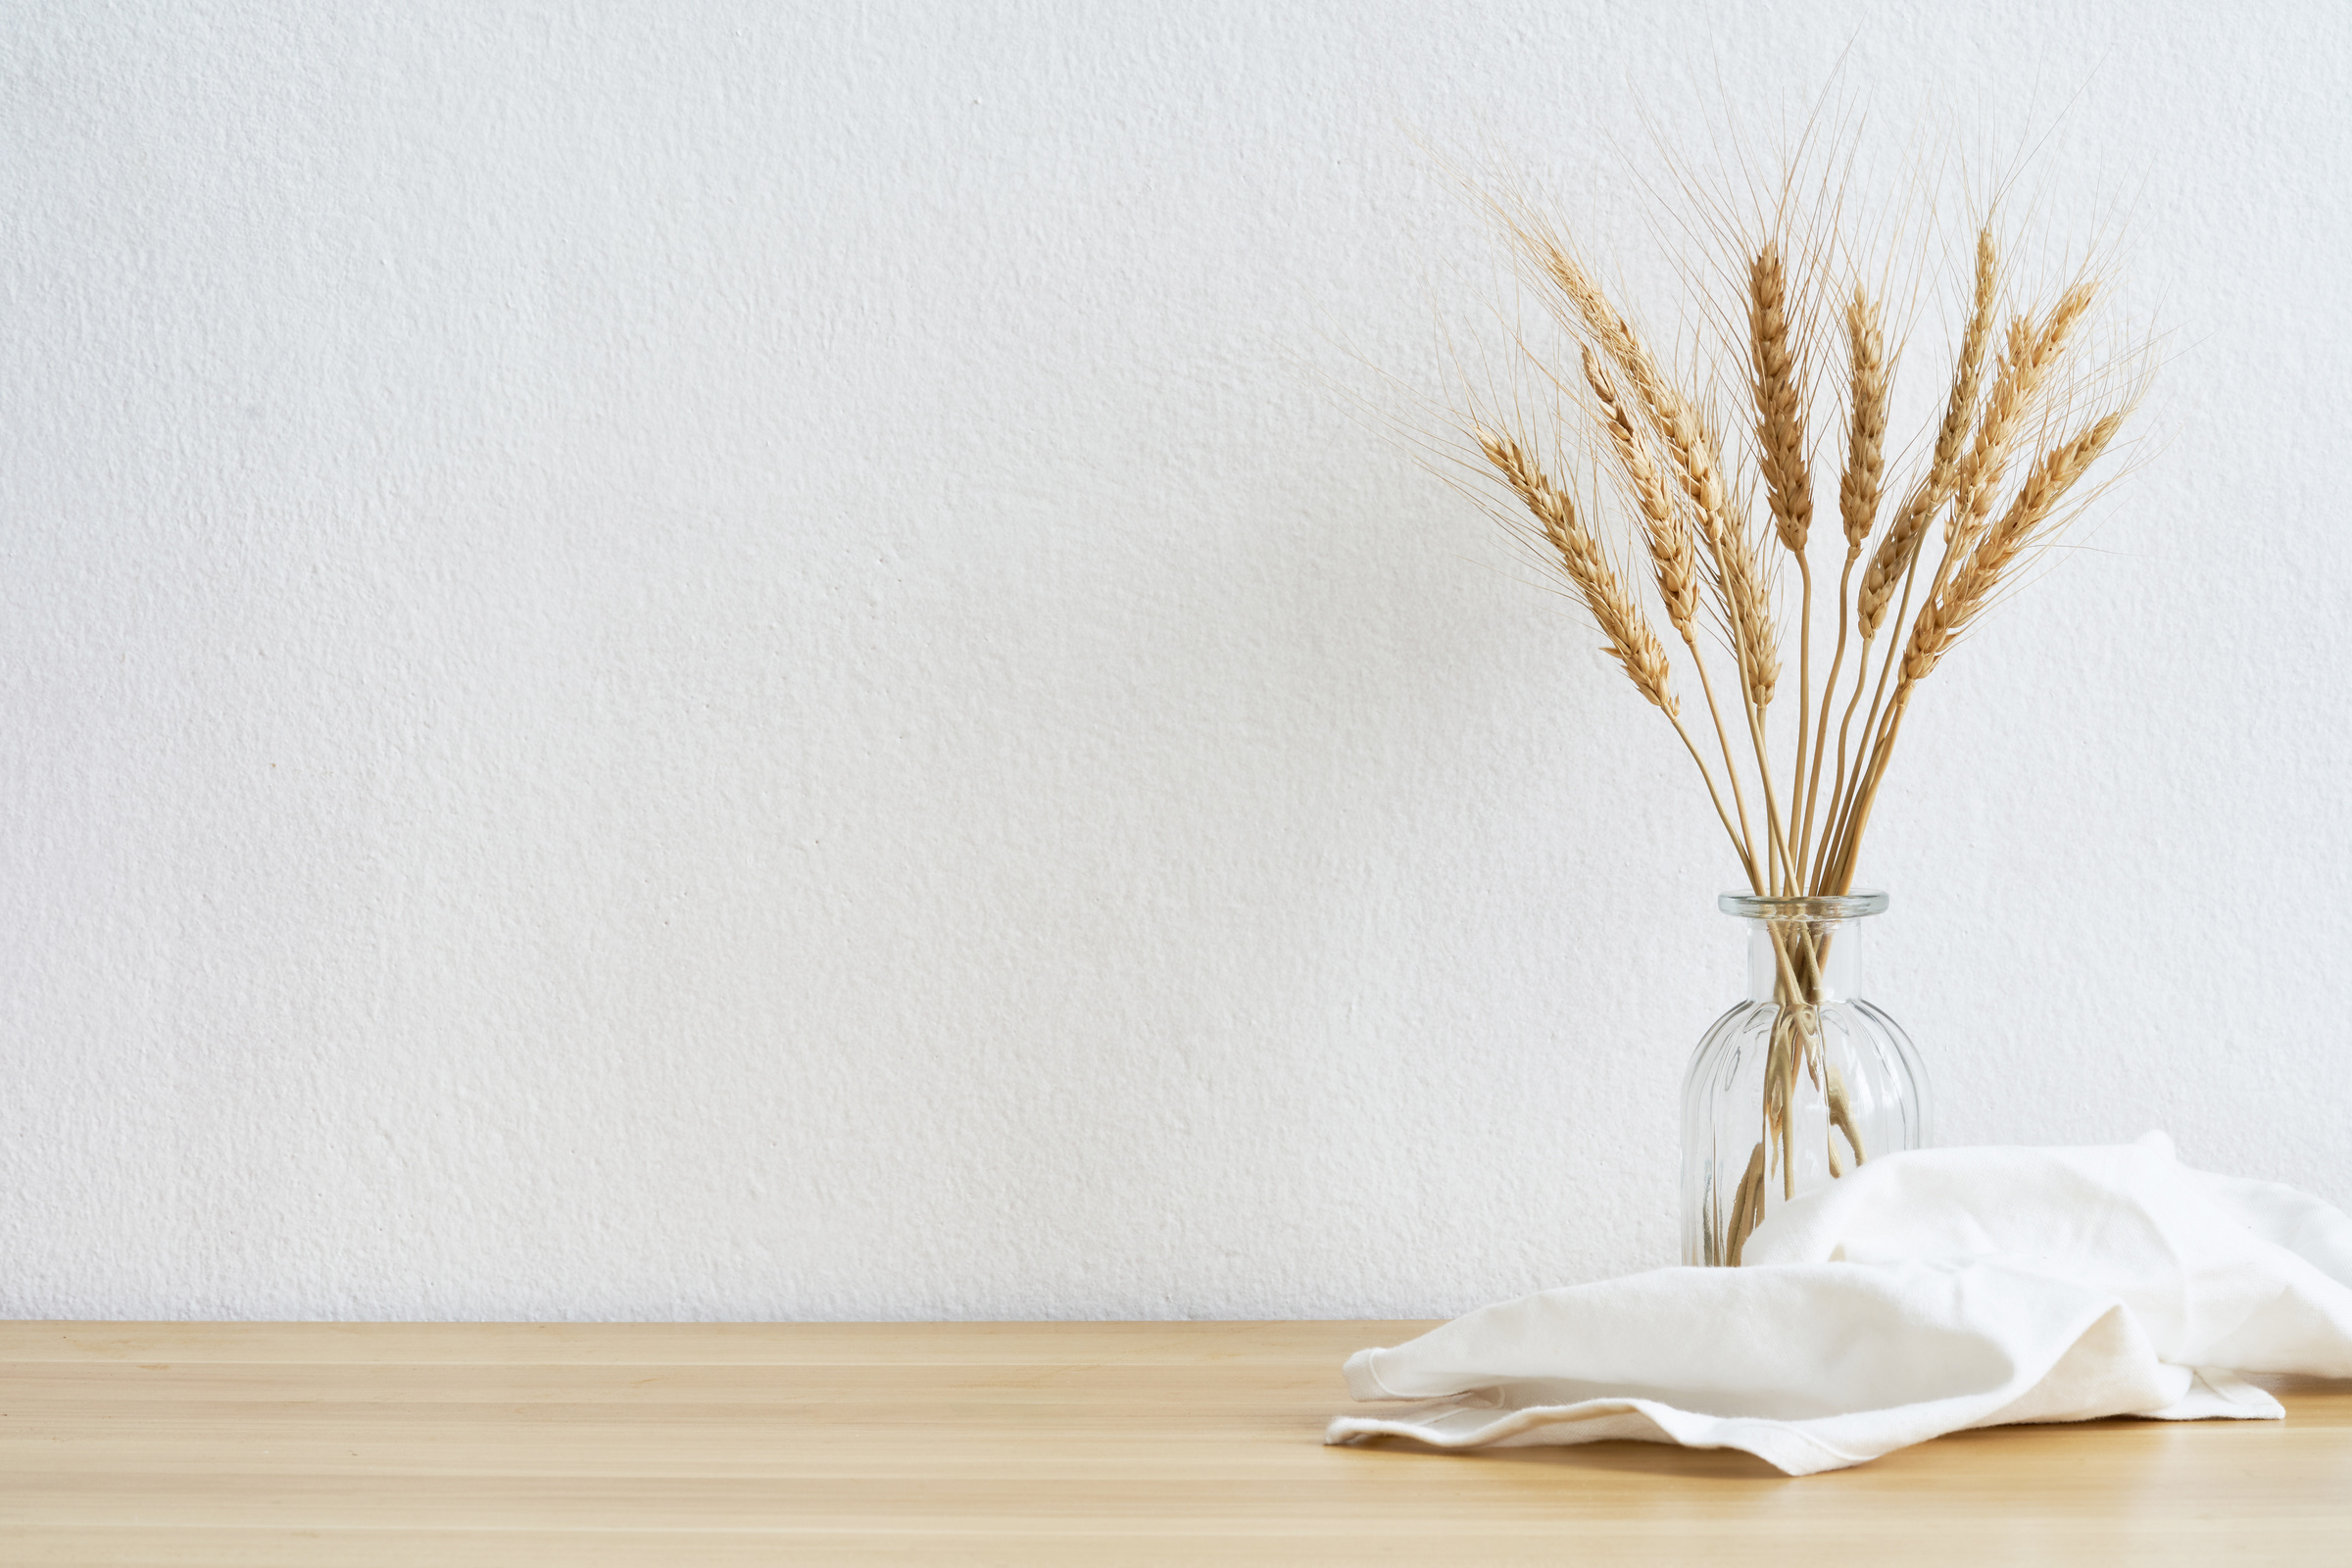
(737,662)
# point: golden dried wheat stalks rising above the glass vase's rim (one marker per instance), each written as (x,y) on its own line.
(1718,558)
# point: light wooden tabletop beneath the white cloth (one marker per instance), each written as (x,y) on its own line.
(460,1445)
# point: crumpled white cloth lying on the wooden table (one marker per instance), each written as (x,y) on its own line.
(1916,1296)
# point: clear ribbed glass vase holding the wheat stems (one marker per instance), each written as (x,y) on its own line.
(1800,1083)
